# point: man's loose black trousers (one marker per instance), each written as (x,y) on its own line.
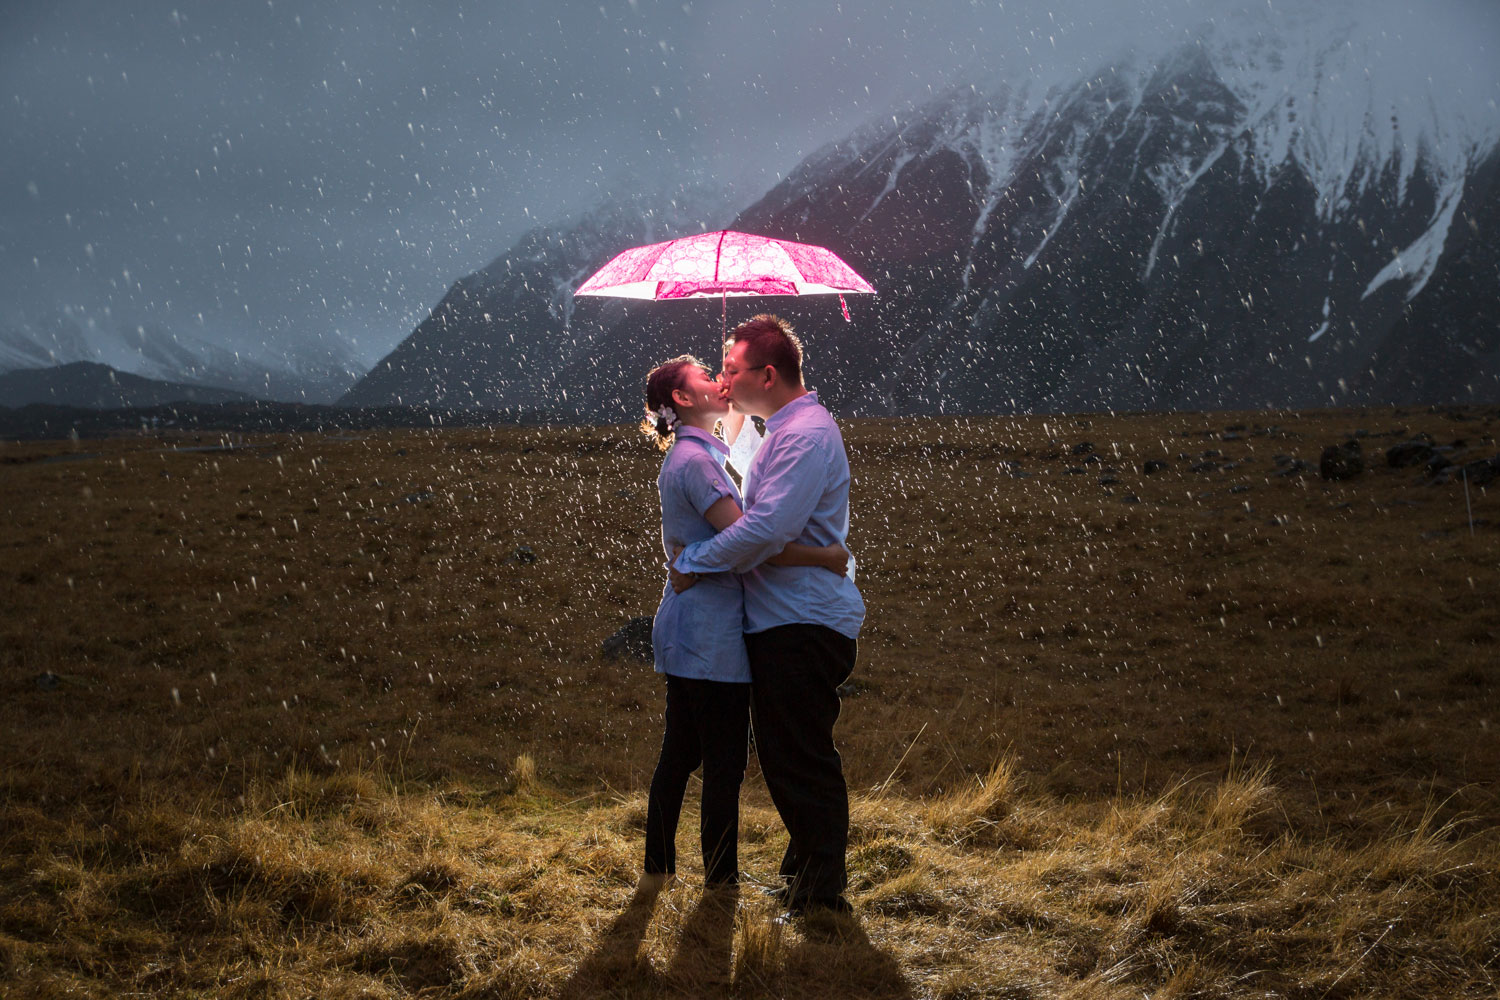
(797,671)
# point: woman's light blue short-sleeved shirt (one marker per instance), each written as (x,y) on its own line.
(698,633)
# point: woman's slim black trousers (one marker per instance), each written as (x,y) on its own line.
(707,722)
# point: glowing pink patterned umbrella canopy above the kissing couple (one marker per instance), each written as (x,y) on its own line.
(725,265)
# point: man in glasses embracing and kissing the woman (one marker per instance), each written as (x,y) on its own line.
(802,624)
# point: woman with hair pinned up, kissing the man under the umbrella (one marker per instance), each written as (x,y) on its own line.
(698,635)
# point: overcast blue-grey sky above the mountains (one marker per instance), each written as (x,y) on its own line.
(268,172)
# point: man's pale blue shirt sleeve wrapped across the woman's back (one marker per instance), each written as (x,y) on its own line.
(791,484)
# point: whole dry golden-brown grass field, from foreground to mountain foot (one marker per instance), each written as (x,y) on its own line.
(328,717)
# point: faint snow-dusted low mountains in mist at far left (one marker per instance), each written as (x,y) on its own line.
(316,376)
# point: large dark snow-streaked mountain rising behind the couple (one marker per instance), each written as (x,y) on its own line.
(1246,221)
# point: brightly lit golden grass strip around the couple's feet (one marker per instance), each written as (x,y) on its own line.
(353,884)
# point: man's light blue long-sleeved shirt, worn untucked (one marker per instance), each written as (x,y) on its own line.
(797,491)
